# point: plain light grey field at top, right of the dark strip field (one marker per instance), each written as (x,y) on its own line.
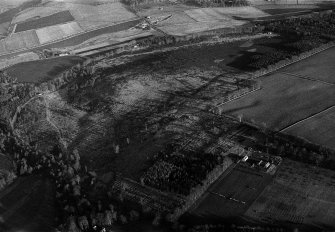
(90,17)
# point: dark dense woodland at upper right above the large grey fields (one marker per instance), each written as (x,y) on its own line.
(307,33)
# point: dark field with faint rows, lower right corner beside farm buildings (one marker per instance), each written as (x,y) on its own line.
(299,194)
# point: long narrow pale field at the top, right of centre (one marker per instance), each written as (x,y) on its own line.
(224,14)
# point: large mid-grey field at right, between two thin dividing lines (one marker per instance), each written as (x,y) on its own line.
(282,101)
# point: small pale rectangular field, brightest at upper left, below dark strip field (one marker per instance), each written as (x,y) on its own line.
(52,33)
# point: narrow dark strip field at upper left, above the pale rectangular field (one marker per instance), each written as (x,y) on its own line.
(54,19)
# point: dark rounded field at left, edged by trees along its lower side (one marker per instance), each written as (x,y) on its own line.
(42,70)
